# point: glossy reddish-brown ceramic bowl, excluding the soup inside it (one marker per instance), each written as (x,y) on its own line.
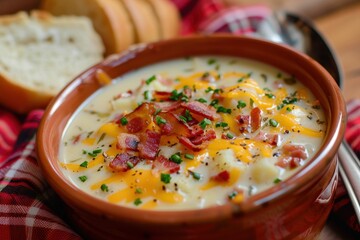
(295,209)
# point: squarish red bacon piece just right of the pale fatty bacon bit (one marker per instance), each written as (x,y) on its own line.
(149,144)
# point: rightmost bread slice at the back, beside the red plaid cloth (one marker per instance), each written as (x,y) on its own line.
(168,17)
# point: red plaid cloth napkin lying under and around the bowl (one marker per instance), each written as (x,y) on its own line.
(29,209)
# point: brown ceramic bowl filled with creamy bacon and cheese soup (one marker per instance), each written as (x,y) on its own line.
(196,138)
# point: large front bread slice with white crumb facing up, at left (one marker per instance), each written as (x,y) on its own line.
(40,54)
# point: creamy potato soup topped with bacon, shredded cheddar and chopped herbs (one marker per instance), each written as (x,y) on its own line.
(191,133)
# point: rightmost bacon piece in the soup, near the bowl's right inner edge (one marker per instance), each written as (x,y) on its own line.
(294,156)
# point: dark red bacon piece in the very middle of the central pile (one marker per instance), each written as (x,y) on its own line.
(173,125)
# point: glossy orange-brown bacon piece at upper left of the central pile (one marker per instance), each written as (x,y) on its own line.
(140,118)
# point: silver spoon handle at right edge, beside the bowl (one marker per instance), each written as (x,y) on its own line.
(350,172)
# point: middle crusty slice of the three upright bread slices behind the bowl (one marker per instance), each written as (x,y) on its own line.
(146,25)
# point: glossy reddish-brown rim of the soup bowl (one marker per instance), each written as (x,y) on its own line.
(76,198)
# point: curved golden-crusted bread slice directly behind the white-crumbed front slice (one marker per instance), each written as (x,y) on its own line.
(109,17)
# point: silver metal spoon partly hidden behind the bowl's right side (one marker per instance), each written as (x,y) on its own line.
(288,28)
